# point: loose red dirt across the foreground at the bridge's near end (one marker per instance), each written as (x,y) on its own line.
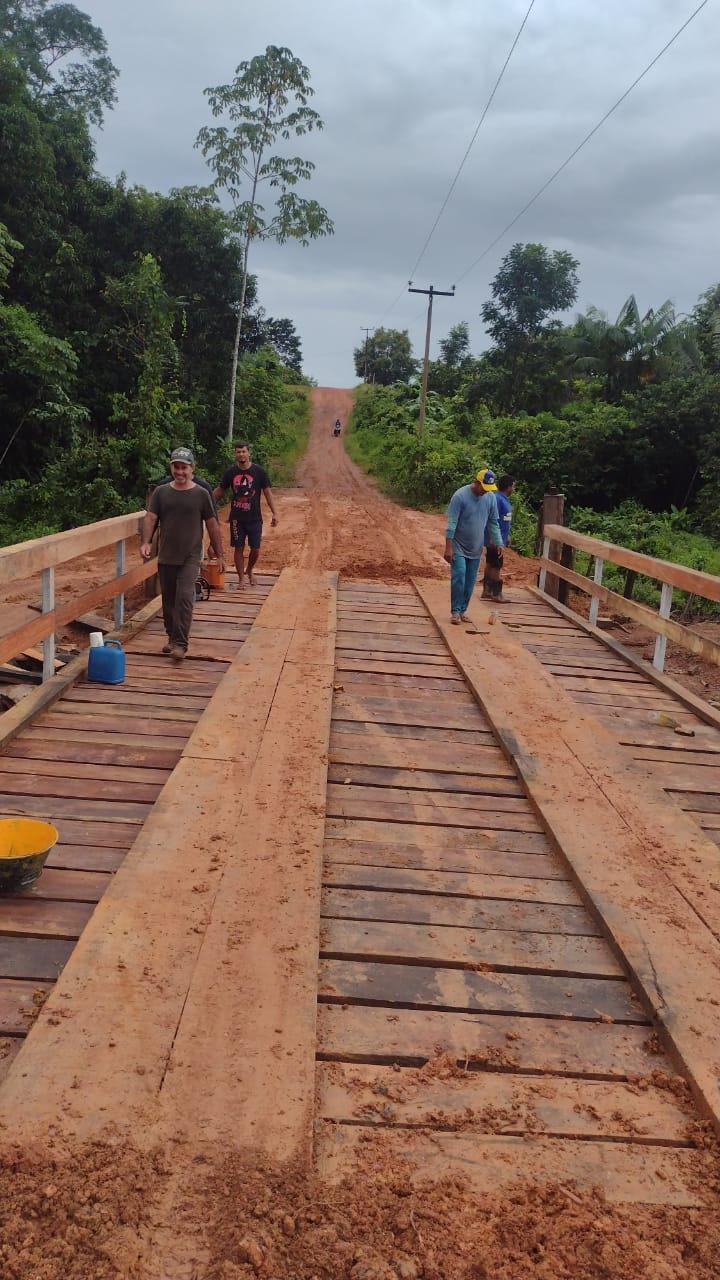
(95,1219)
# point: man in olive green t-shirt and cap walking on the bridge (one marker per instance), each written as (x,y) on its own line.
(181,509)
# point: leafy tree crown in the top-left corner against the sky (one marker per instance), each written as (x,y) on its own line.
(43,36)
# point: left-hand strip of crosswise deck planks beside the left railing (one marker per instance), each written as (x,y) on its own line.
(95,765)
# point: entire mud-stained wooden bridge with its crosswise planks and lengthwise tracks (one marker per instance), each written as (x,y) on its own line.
(354,877)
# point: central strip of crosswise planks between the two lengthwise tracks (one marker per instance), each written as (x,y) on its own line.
(472,1017)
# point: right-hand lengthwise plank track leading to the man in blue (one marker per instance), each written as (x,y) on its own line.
(644,865)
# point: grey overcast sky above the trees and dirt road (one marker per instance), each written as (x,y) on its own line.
(402,86)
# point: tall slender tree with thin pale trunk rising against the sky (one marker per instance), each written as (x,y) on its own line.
(265,103)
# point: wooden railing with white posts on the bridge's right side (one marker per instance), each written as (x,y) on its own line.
(669,575)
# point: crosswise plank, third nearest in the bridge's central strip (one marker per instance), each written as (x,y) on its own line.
(548,1045)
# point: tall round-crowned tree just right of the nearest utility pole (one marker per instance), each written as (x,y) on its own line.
(532,286)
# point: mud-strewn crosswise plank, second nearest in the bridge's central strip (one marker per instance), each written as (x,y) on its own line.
(503,1104)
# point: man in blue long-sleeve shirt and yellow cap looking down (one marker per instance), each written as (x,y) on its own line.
(472,510)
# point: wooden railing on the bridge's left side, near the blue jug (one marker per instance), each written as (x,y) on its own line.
(43,556)
